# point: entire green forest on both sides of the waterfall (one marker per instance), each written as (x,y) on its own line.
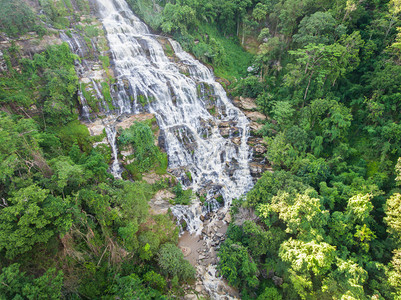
(325,223)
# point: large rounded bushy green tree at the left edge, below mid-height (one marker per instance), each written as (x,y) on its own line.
(29,217)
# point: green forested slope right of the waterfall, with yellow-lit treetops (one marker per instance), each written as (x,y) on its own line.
(325,224)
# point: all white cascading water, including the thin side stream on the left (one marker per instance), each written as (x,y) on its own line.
(205,134)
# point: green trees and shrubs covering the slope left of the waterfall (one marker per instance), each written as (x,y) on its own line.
(68,229)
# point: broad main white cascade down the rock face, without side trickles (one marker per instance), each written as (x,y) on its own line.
(140,60)
